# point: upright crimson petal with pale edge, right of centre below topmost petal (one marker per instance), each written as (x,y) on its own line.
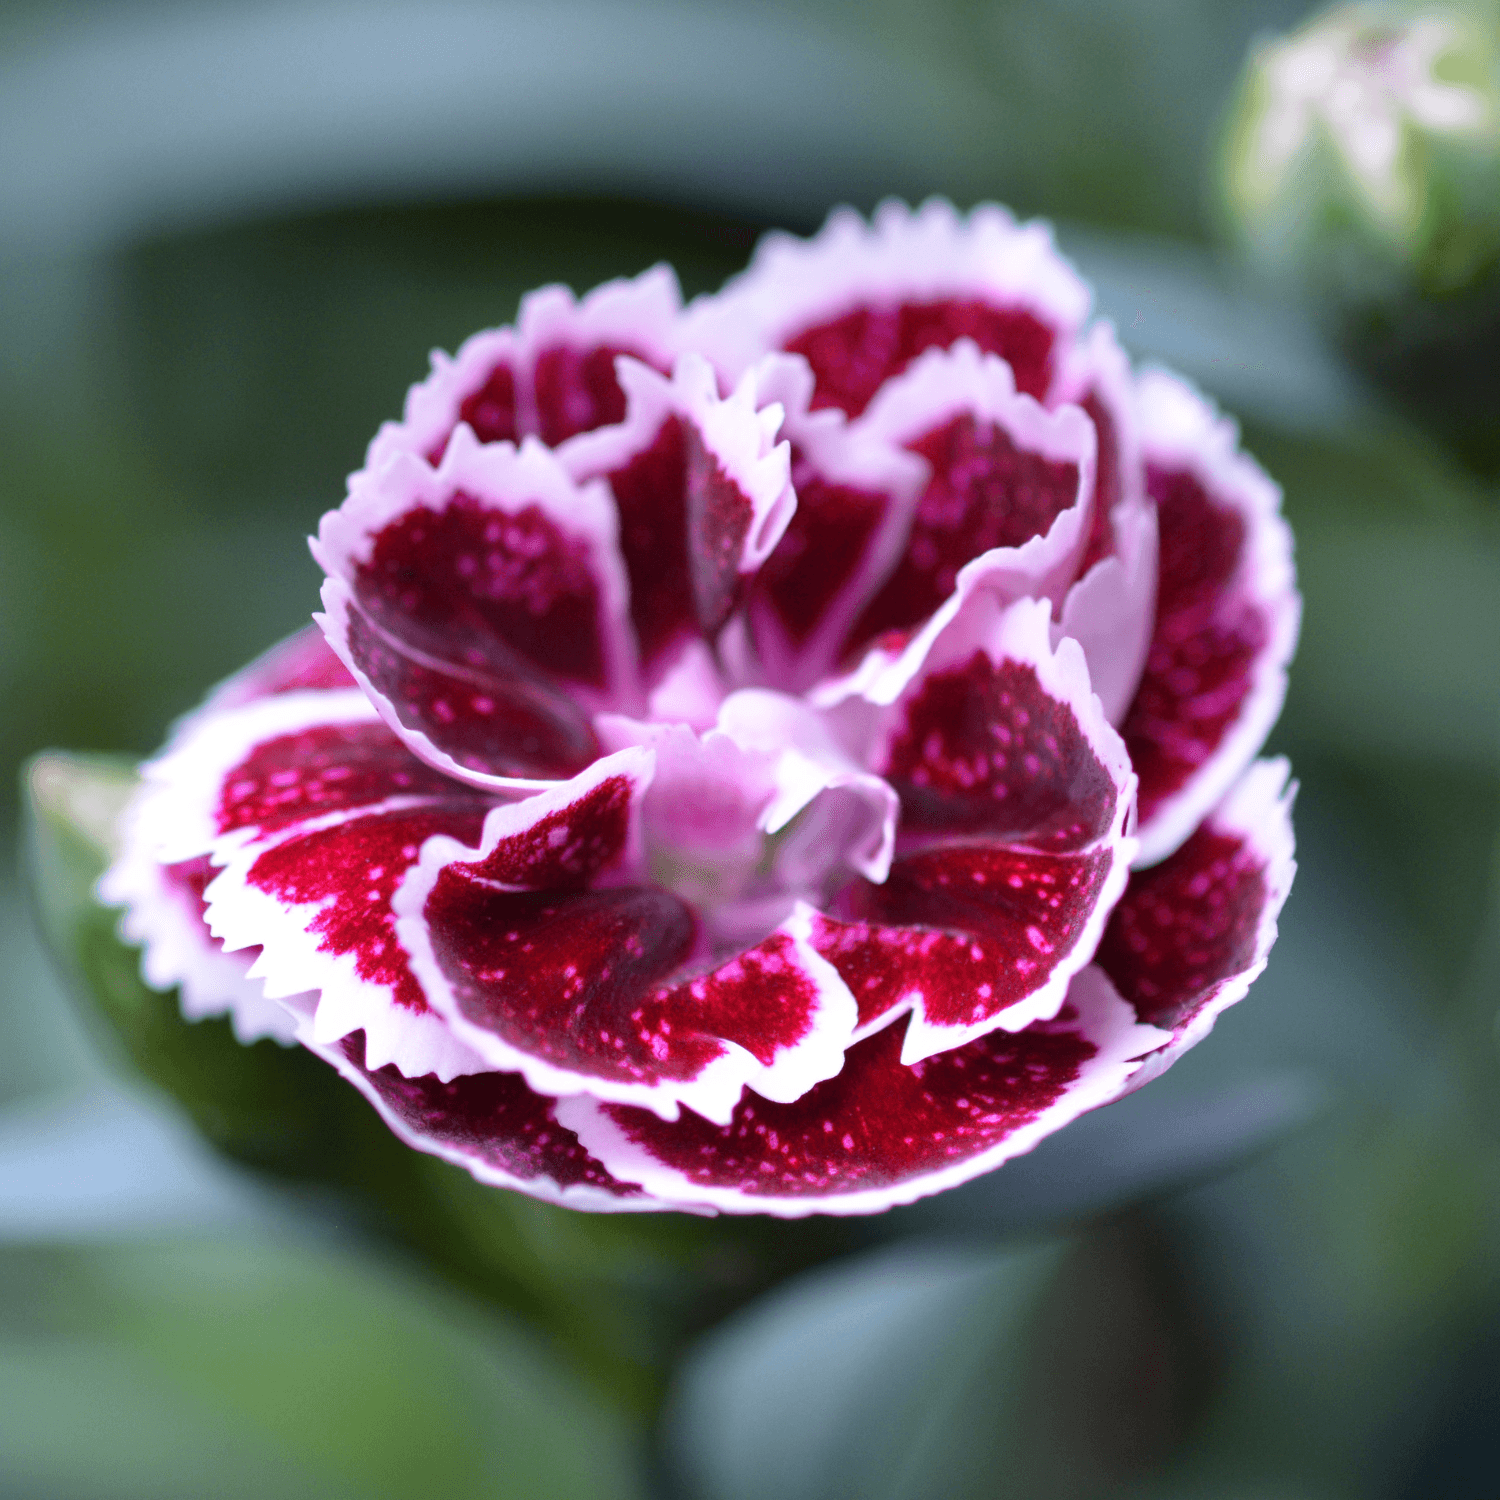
(1012,484)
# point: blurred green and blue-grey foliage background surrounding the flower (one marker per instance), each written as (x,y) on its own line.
(229,236)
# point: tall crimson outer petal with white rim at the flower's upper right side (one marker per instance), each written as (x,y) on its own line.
(1228,616)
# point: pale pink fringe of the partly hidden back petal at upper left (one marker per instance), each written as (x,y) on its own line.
(638,314)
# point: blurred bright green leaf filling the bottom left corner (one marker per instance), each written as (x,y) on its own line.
(191,1370)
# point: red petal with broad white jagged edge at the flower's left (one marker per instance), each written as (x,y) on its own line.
(314,809)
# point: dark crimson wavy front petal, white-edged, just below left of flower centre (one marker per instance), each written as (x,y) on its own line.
(571,974)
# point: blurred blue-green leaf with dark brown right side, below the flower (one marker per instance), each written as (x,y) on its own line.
(1058,1372)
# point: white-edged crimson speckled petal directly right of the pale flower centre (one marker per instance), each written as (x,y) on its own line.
(1016,805)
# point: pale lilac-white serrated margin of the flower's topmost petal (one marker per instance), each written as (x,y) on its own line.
(902,256)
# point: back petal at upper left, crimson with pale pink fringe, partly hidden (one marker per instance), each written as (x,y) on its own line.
(551,377)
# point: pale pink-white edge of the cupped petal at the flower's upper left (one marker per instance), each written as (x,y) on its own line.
(509,481)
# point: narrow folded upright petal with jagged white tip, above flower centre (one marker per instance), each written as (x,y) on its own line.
(704,494)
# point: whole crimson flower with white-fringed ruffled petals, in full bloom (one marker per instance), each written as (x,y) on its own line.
(733,730)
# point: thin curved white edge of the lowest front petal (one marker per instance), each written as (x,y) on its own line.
(1105,1019)
